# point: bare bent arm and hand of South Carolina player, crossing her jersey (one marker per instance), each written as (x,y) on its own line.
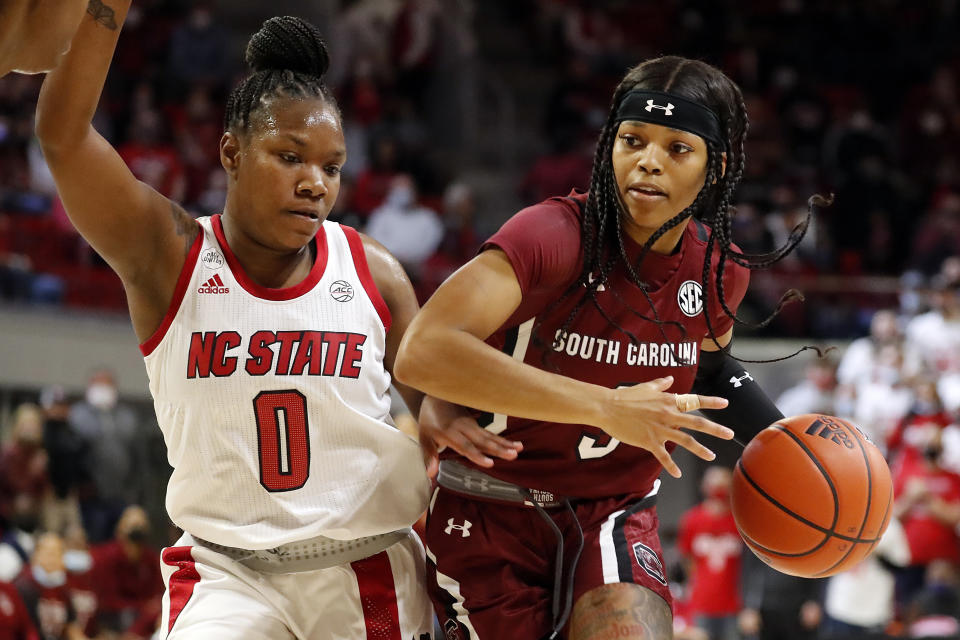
(444,354)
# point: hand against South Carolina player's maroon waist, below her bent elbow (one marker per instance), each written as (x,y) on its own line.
(443,424)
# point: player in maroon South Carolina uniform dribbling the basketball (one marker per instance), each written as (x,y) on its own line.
(580,329)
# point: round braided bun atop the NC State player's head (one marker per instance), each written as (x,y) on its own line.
(288,43)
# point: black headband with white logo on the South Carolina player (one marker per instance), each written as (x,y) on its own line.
(671,111)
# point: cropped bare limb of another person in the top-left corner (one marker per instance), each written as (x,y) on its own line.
(34,34)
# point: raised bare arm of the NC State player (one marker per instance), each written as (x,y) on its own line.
(143,236)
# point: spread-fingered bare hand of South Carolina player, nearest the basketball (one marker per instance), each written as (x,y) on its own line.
(645,416)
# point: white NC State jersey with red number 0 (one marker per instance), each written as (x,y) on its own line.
(274,403)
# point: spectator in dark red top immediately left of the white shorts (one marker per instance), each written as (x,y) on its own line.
(127,573)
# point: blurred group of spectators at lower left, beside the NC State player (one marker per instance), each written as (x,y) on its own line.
(76,548)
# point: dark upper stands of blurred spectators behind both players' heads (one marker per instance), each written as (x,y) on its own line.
(840,102)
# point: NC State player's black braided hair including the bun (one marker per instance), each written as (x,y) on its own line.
(288,58)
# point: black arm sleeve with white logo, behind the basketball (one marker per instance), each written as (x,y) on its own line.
(750,410)
